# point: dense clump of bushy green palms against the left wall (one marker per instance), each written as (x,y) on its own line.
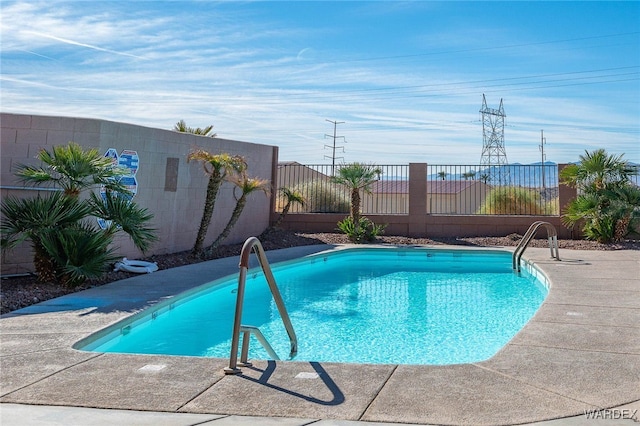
(66,246)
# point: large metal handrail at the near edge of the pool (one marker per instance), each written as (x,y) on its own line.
(249,244)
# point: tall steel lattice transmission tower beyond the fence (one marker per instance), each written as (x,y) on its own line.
(494,157)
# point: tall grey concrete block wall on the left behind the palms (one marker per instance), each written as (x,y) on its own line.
(169,187)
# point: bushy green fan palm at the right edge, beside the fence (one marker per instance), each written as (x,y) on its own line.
(608,204)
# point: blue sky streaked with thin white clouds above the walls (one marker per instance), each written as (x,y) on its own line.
(406,78)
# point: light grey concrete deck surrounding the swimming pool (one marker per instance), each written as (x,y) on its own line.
(580,353)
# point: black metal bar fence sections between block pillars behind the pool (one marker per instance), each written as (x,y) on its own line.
(450,190)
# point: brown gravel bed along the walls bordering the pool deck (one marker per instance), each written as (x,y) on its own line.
(20,292)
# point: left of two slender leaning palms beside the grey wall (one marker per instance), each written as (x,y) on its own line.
(217,167)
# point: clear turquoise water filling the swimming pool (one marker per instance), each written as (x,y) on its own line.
(399,306)
